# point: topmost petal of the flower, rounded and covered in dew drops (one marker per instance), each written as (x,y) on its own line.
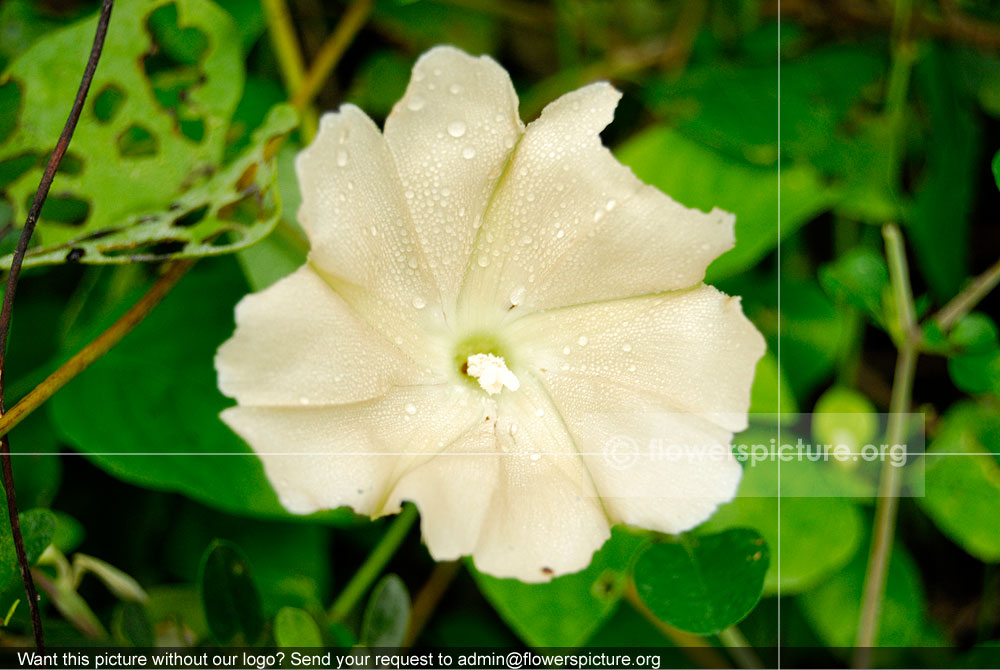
(451,135)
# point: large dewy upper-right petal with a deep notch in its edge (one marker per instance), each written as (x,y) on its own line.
(567,208)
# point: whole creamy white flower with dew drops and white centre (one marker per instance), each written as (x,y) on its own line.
(487,307)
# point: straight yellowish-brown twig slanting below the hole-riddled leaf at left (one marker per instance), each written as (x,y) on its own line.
(96,348)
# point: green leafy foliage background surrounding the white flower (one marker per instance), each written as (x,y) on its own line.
(175,157)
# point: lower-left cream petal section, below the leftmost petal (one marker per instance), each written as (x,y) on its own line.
(329,456)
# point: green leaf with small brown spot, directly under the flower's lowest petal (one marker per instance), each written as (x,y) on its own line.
(537,612)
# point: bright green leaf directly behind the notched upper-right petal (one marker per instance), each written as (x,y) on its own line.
(697,176)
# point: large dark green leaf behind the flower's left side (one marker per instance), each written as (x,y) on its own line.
(155,395)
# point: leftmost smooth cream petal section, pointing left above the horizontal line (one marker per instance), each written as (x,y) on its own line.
(298,343)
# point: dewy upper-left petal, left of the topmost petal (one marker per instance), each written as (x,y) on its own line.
(363,241)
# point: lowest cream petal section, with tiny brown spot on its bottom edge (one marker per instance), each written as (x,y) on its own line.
(515,495)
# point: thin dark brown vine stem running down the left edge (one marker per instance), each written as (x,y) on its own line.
(8,304)
